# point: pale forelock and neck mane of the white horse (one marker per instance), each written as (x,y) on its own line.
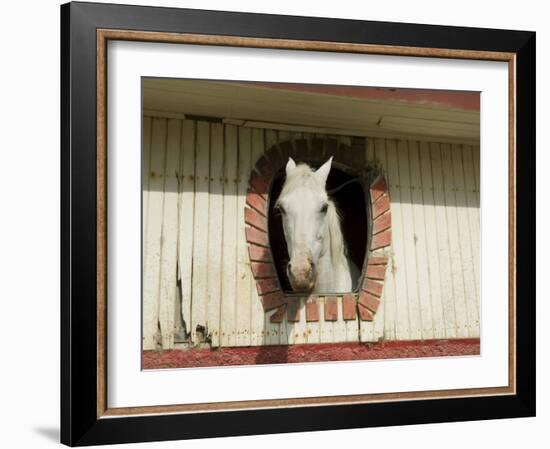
(303,175)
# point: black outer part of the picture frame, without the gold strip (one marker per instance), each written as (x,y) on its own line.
(79,422)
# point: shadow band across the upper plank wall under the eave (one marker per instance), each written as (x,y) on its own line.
(432,173)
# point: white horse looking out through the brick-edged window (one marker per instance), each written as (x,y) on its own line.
(318,259)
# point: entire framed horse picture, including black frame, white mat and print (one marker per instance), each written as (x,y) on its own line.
(276,224)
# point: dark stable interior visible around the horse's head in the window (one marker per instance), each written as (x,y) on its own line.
(351,204)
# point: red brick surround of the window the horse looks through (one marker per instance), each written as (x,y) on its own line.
(366,300)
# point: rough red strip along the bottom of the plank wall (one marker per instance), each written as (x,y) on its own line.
(186,358)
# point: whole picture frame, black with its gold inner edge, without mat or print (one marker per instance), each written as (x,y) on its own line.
(86,28)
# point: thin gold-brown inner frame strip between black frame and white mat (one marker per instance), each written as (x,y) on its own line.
(104,35)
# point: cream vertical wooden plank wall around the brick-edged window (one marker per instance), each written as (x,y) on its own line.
(195,181)
